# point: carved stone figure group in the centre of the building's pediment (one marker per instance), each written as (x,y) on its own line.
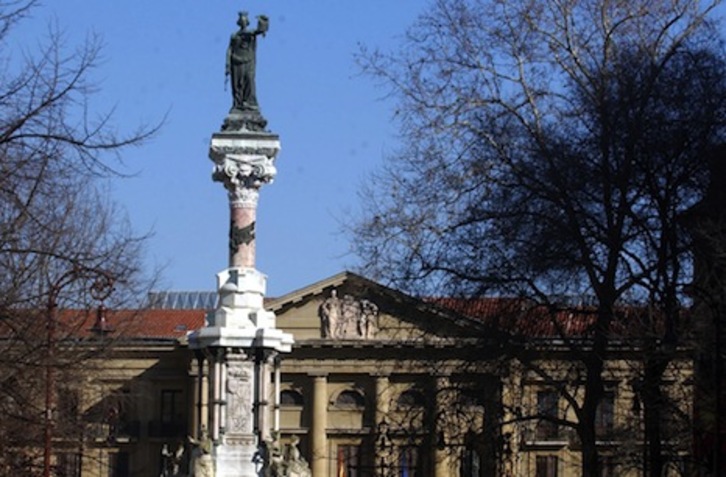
(348,318)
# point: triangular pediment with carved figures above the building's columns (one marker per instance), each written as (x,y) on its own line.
(348,308)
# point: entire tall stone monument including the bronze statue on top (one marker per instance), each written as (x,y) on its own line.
(239,345)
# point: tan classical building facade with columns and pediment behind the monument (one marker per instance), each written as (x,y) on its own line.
(378,384)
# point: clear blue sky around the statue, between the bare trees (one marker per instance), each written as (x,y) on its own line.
(167,58)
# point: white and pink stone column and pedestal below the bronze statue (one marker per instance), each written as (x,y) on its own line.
(240,336)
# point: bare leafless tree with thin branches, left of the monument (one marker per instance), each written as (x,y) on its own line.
(63,244)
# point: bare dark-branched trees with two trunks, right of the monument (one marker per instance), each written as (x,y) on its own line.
(549,150)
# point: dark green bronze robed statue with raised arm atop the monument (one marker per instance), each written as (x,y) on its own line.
(241,62)
